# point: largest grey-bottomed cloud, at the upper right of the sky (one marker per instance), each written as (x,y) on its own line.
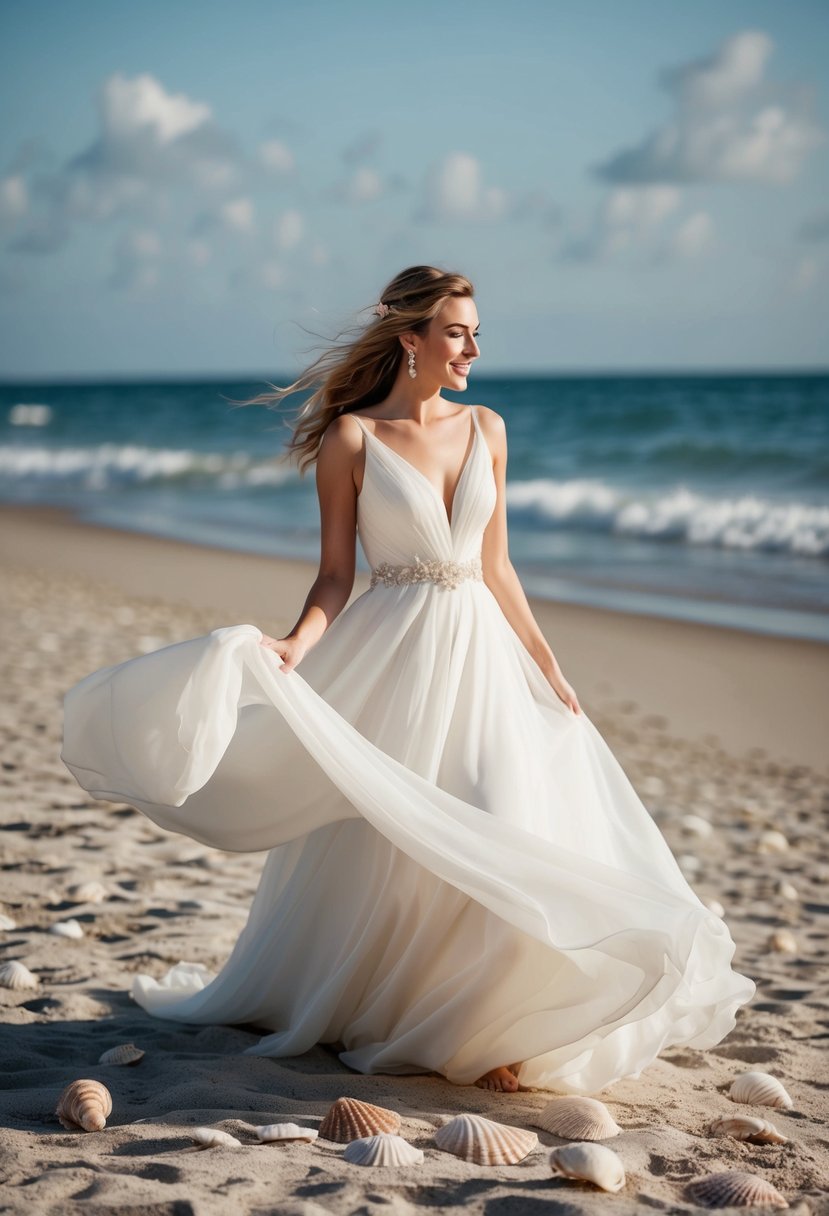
(729,126)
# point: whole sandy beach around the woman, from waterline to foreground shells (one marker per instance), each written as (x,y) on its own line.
(725,727)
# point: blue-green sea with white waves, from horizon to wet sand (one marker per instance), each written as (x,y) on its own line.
(693,497)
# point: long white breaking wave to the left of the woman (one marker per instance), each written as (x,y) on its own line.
(111,465)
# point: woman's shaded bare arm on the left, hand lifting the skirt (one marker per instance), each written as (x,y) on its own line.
(339,513)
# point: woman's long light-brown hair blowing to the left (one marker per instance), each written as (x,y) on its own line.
(362,371)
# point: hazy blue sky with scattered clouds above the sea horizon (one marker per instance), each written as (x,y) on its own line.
(202,188)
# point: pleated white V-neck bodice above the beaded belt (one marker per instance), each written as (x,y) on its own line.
(402,516)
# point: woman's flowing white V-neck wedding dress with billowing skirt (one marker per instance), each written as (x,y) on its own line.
(461,875)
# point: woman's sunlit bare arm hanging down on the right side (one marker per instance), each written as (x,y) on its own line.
(500,575)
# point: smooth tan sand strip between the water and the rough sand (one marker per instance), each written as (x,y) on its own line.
(746,693)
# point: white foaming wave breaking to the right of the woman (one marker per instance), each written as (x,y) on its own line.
(746,522)
